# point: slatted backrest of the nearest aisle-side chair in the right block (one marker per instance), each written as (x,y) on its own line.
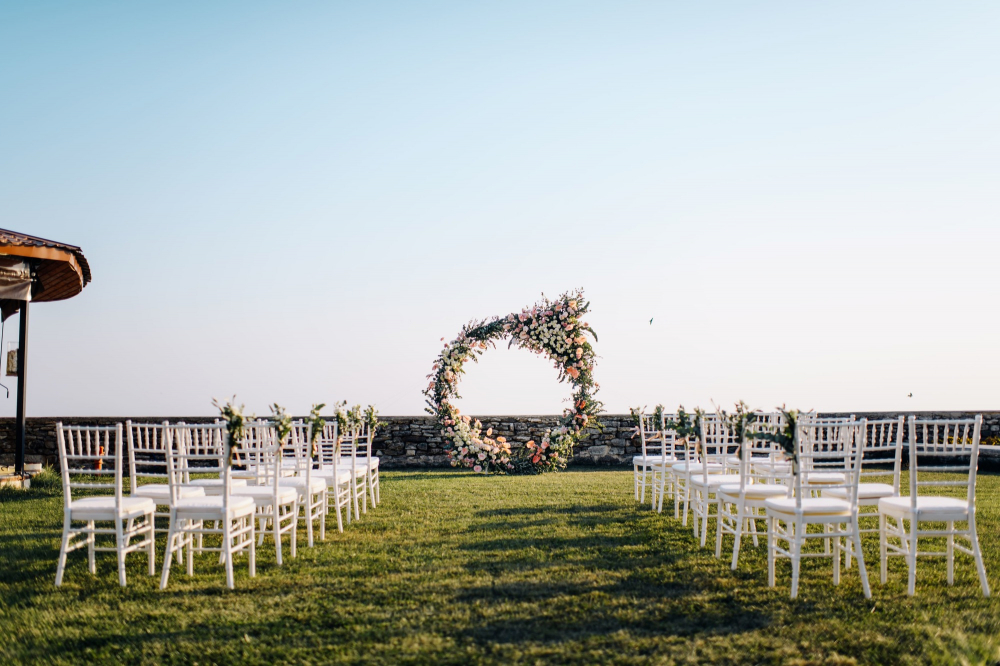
(829,457)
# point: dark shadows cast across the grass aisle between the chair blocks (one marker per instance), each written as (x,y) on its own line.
(552,579)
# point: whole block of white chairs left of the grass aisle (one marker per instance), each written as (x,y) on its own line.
(203,484)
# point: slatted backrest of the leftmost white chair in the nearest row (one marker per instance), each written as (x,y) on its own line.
(90,451)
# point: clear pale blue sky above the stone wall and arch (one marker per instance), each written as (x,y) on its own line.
(294,201)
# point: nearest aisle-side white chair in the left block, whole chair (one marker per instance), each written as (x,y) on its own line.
(205,449)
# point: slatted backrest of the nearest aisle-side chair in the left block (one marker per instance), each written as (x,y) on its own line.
(197,449)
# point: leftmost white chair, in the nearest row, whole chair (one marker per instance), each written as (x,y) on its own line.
(87,456)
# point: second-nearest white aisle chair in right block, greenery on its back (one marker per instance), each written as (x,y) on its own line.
(741,505)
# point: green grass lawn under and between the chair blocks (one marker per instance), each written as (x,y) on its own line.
(456,568)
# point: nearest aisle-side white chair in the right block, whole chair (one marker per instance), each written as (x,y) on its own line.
(825,463)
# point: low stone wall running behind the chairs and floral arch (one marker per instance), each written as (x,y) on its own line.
(415,441)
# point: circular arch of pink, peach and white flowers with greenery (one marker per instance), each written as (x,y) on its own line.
(553,328)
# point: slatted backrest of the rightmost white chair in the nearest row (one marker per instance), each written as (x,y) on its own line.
(944,446)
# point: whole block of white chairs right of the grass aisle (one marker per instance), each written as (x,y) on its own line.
(740,484)
